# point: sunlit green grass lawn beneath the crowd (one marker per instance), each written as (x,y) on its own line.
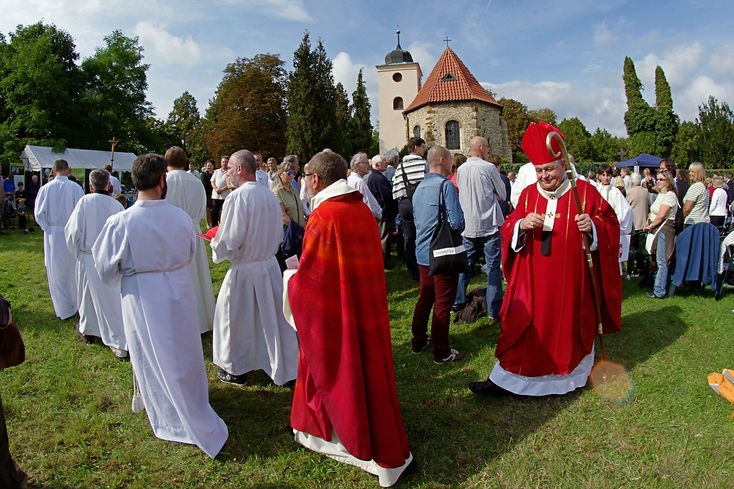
(70,423)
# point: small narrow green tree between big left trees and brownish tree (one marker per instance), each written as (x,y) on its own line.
(184,123)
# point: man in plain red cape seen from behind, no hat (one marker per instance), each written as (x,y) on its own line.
(345,404)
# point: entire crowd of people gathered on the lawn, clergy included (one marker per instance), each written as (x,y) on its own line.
(305,299)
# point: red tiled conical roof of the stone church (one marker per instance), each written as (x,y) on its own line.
(464,87)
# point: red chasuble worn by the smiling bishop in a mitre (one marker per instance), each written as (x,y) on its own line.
(548,318)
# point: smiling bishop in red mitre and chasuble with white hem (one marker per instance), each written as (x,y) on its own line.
(546,345)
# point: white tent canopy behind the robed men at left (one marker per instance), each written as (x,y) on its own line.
(37,157)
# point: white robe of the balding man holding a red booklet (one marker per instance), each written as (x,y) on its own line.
(250,331)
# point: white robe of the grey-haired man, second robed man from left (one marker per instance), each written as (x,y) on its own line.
(100,306)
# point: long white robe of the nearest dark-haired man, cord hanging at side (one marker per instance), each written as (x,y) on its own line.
(147,250)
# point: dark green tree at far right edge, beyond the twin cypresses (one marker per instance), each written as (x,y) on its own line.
(716,122)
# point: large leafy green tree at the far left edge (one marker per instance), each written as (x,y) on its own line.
(39,90)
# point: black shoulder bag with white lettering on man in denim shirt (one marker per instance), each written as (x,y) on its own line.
(447,255)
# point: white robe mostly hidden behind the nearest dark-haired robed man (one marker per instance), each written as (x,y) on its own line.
(186,192)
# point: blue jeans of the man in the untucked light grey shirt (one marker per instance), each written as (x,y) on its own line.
(490,245)
